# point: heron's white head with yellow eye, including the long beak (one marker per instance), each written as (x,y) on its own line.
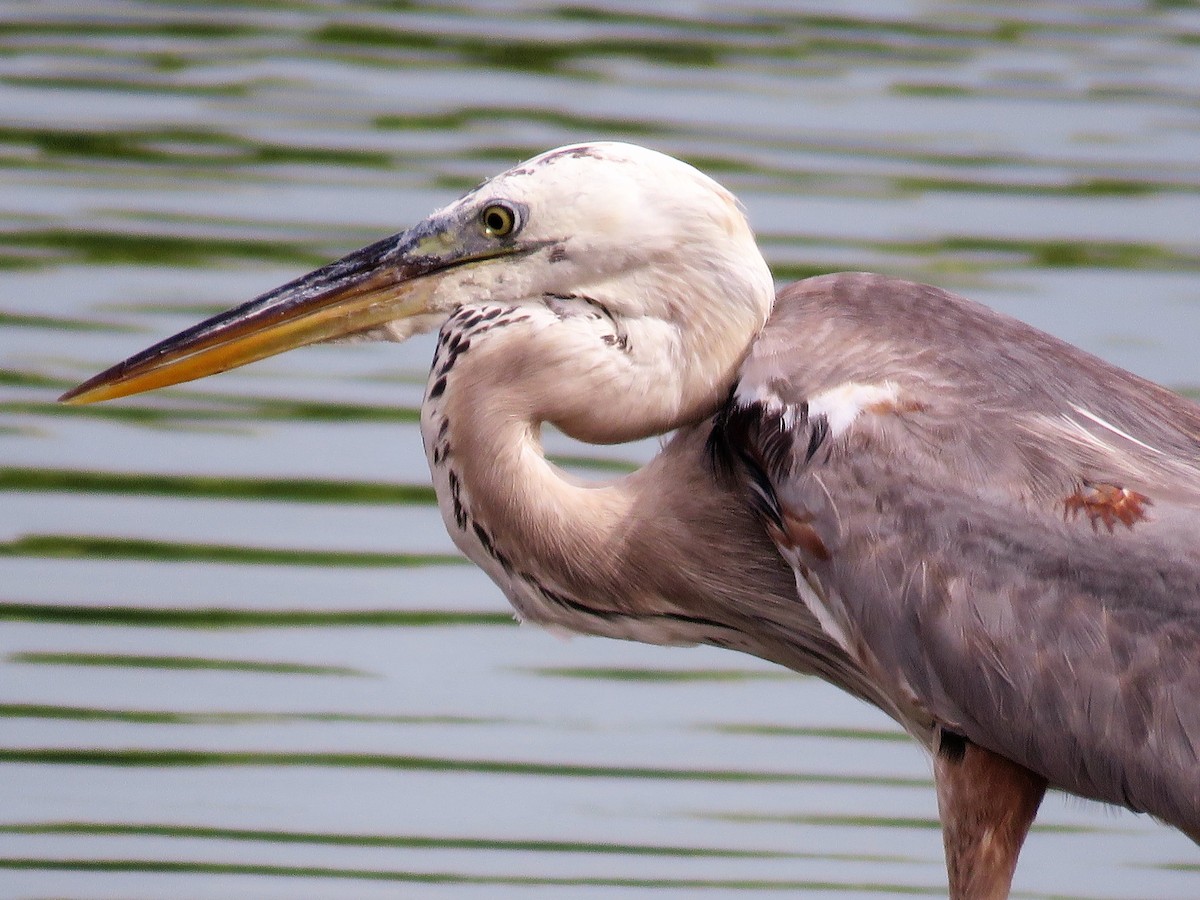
(647,238)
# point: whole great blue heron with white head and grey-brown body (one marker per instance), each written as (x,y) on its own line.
(986,532)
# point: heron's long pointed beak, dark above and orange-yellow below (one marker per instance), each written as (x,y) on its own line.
(365,290)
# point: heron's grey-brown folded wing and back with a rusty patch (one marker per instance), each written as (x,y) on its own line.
(1001,530)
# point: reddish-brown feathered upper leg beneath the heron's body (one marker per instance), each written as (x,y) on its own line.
(987,806)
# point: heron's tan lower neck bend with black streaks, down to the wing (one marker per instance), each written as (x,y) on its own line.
(665,555)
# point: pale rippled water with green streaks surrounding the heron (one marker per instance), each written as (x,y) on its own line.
(238,655)
